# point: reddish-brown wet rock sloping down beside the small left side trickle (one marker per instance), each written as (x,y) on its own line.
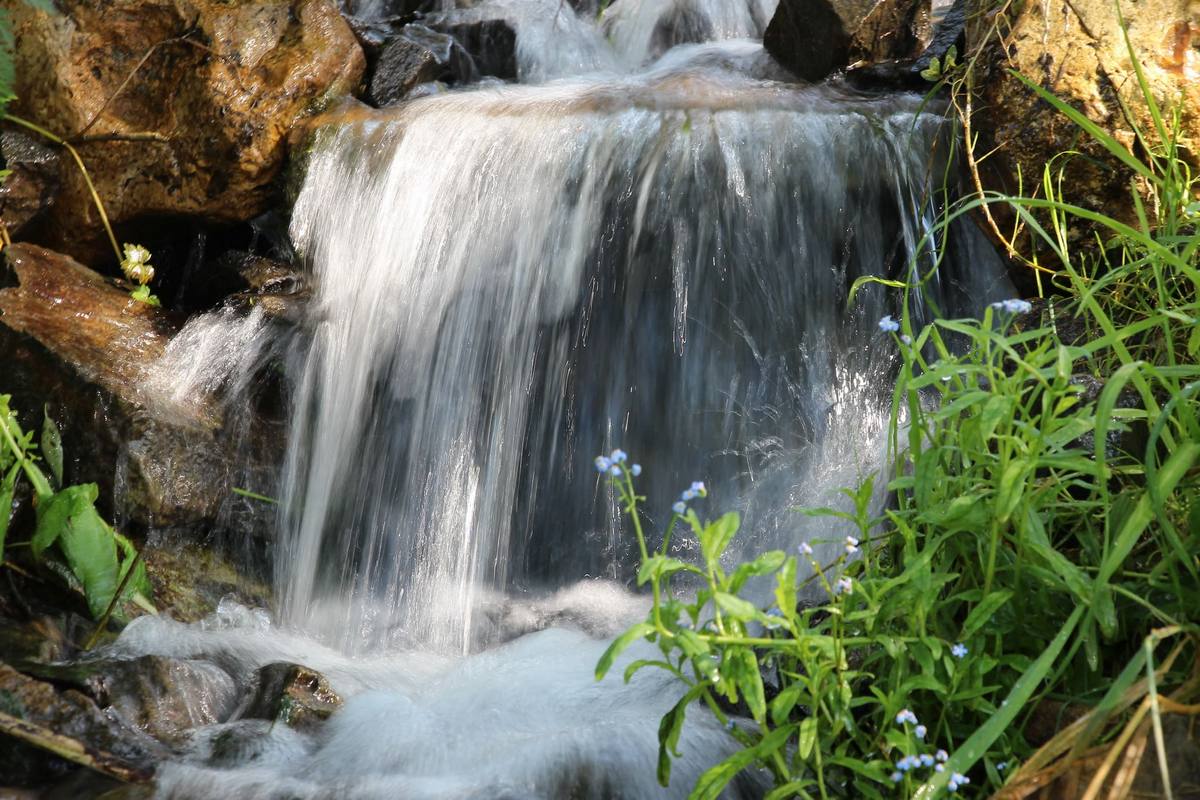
(76,340)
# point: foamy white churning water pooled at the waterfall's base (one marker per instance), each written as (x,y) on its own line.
(525,720)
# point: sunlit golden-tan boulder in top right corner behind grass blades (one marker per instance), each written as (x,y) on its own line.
(1077,51)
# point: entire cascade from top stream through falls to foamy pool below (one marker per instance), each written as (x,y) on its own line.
(511,280)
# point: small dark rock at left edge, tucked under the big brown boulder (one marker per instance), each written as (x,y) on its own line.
(33,184)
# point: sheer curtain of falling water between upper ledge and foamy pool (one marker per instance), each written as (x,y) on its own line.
(512,279)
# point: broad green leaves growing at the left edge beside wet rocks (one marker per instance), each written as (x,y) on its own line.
(68,522)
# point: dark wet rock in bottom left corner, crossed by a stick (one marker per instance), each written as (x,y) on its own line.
(68,714)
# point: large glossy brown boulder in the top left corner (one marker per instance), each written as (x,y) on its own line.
(201,125)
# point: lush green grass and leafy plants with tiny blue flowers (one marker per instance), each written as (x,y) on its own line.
(1027,606)
